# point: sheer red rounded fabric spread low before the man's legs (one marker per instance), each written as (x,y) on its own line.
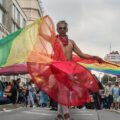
(66,82)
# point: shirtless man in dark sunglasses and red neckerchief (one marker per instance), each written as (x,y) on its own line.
(68,47)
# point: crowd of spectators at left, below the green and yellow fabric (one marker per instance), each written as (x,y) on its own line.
(29,94)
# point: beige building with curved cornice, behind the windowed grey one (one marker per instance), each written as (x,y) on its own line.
(32,9)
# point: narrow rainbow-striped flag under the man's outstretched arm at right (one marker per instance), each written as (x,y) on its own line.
(105,67)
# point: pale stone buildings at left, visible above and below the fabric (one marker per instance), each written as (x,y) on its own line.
(15,14)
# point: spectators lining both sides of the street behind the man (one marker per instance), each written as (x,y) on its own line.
(108,96)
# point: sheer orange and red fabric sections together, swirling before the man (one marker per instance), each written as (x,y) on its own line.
(65,82)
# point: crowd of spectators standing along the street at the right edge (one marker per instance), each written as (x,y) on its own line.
(108,97)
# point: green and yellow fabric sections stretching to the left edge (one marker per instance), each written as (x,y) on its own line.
(16,47)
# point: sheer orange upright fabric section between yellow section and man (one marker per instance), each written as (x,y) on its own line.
(44,48)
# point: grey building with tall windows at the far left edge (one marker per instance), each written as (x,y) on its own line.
(12,17)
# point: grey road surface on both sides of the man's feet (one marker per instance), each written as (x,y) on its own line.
(46,114)
